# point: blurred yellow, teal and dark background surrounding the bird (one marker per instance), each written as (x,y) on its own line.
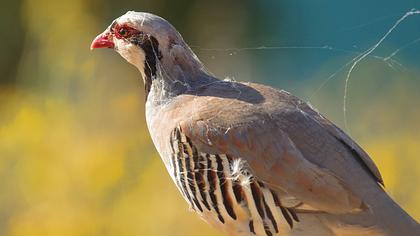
(75,153)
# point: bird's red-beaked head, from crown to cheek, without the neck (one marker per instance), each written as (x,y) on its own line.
(140,38)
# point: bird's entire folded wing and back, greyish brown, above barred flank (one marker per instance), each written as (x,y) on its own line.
(286,143)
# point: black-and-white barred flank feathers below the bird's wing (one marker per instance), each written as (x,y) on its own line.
(224,192)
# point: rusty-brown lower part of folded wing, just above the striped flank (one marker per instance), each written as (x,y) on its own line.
(274,159)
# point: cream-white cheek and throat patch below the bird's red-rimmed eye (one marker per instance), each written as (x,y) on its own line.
(130,52)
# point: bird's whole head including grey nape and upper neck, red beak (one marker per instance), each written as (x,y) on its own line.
(152,44)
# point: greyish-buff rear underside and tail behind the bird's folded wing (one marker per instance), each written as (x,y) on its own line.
(383,217)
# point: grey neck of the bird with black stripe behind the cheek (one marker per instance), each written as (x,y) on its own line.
(172,71)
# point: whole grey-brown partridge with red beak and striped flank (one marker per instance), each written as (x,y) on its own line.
(248,158)
